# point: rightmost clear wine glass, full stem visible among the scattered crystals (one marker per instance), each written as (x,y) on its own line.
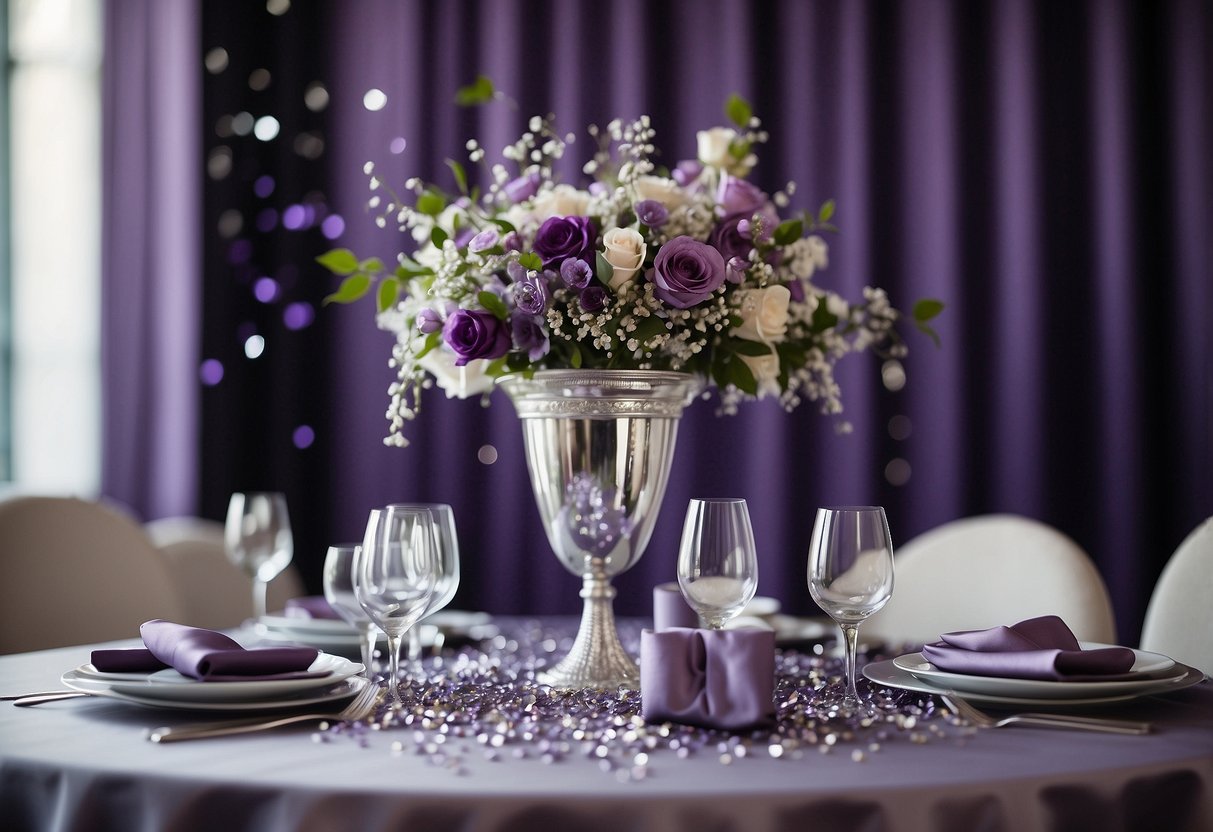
(851,575)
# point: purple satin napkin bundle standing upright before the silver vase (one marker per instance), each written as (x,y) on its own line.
(710,679)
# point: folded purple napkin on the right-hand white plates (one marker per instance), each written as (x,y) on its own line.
(1035,649)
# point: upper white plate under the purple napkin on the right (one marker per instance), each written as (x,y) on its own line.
(1153,668)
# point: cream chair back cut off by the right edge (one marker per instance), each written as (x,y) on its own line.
(1180,619)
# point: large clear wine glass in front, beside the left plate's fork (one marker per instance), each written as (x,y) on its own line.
(396,573)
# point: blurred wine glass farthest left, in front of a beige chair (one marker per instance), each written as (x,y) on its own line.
(258,539)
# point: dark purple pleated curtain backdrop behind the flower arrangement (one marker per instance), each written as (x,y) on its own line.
(1043,168)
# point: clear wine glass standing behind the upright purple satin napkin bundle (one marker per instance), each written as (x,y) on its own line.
(717,563)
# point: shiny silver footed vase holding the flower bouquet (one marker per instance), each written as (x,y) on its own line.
(600,445)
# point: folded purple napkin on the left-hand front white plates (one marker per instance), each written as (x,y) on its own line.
(207,656)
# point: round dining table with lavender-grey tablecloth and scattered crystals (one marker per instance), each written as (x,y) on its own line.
(479,745)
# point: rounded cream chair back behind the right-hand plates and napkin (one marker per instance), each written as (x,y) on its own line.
(989,571)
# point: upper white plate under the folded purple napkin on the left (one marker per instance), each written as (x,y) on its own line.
(169,685)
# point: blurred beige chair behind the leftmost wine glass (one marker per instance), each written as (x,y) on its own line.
(217,594)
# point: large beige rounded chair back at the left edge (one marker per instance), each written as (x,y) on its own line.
(77,572)
